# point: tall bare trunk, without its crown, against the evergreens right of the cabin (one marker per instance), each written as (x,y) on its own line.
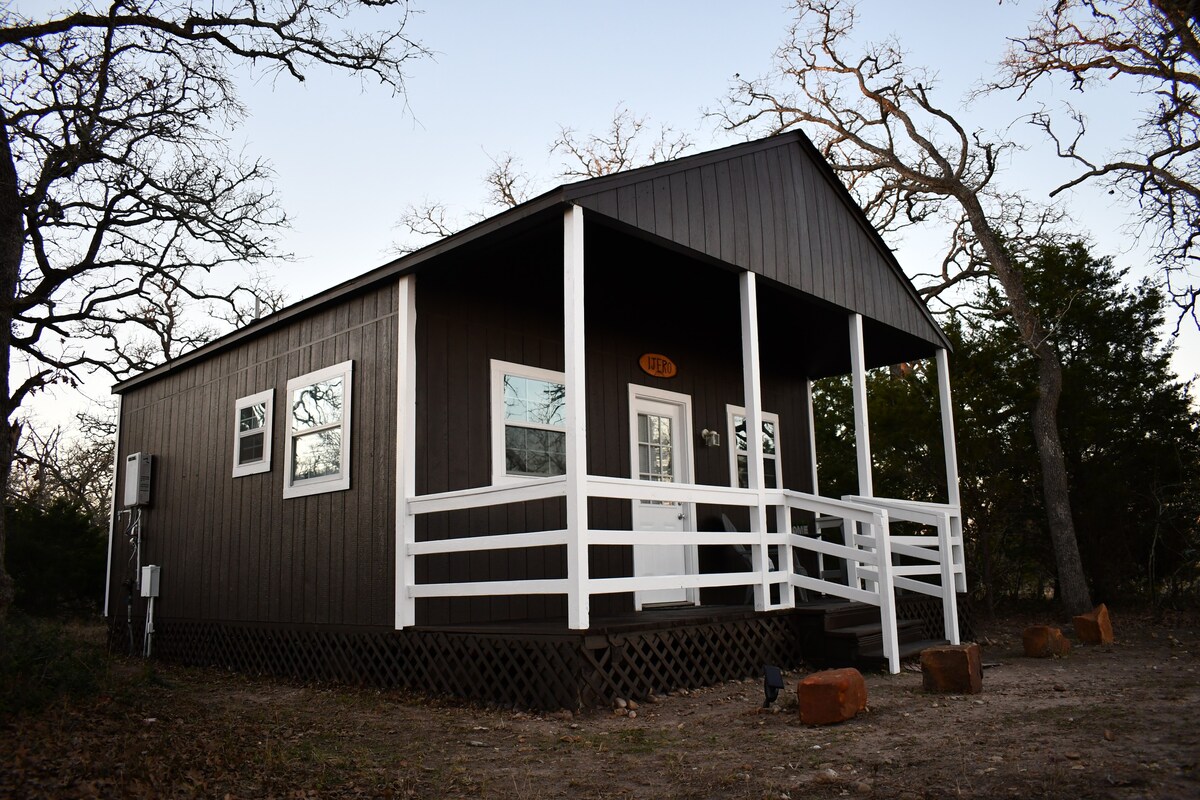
(1055,490)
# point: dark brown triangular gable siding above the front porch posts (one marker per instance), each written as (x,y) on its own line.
(775,212)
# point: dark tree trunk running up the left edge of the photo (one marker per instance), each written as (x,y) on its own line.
(13,238)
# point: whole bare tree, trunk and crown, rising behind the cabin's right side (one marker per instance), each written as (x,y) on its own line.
(909,160)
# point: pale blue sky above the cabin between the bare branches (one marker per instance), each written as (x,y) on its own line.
(506,76)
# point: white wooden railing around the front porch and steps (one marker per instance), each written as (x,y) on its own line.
(789,558)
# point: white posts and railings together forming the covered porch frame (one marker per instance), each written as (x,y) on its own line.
(791,540)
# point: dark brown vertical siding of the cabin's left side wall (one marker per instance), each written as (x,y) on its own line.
(232,549)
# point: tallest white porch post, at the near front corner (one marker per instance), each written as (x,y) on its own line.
(578,598)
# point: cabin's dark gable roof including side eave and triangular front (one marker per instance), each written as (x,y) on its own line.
(773,207)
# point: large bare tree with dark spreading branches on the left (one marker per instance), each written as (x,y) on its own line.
(117,178)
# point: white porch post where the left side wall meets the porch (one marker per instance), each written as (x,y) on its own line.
(406,450)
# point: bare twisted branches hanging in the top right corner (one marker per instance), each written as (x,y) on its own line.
(1154,46)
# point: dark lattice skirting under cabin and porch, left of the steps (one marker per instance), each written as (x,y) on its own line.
(539,671)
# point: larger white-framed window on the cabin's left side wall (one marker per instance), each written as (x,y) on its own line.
(319,444)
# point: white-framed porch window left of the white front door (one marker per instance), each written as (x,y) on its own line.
(529,423)
